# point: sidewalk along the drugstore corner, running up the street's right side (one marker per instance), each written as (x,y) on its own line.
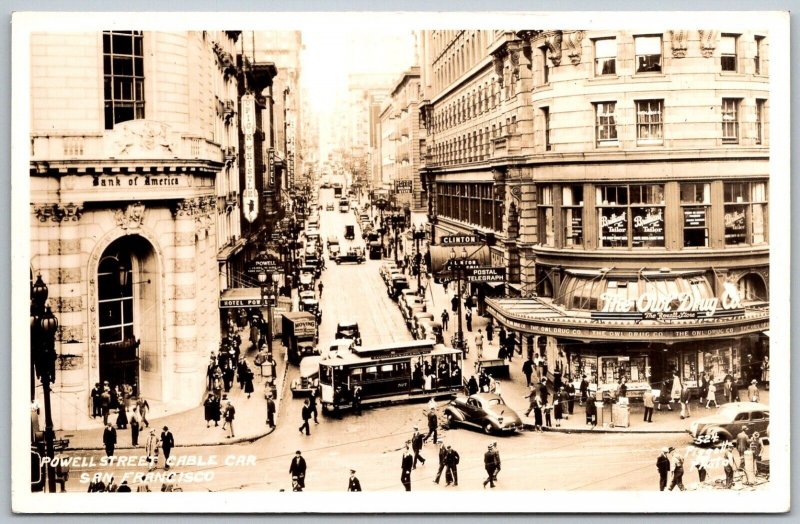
(514,389)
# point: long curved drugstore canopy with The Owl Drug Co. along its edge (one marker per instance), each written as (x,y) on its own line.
(538,316)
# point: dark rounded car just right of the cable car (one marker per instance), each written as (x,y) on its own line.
(486,411)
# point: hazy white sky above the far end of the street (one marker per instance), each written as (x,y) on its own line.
(330,56)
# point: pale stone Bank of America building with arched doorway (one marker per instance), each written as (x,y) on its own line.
(134,207)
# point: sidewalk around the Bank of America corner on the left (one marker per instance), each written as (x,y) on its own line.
(189,427)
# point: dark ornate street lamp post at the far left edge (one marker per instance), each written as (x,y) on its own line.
(43,331)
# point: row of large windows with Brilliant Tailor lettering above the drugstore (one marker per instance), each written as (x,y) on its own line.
(633,215)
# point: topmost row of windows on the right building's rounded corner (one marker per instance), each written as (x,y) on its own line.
(648,55)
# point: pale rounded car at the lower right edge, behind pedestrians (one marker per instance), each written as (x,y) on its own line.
(727,422)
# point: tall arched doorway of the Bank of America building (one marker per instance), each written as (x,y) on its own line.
(126,314)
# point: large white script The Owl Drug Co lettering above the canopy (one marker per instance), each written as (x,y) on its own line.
(672,303)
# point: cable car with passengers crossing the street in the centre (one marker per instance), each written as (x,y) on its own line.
(404,371)
